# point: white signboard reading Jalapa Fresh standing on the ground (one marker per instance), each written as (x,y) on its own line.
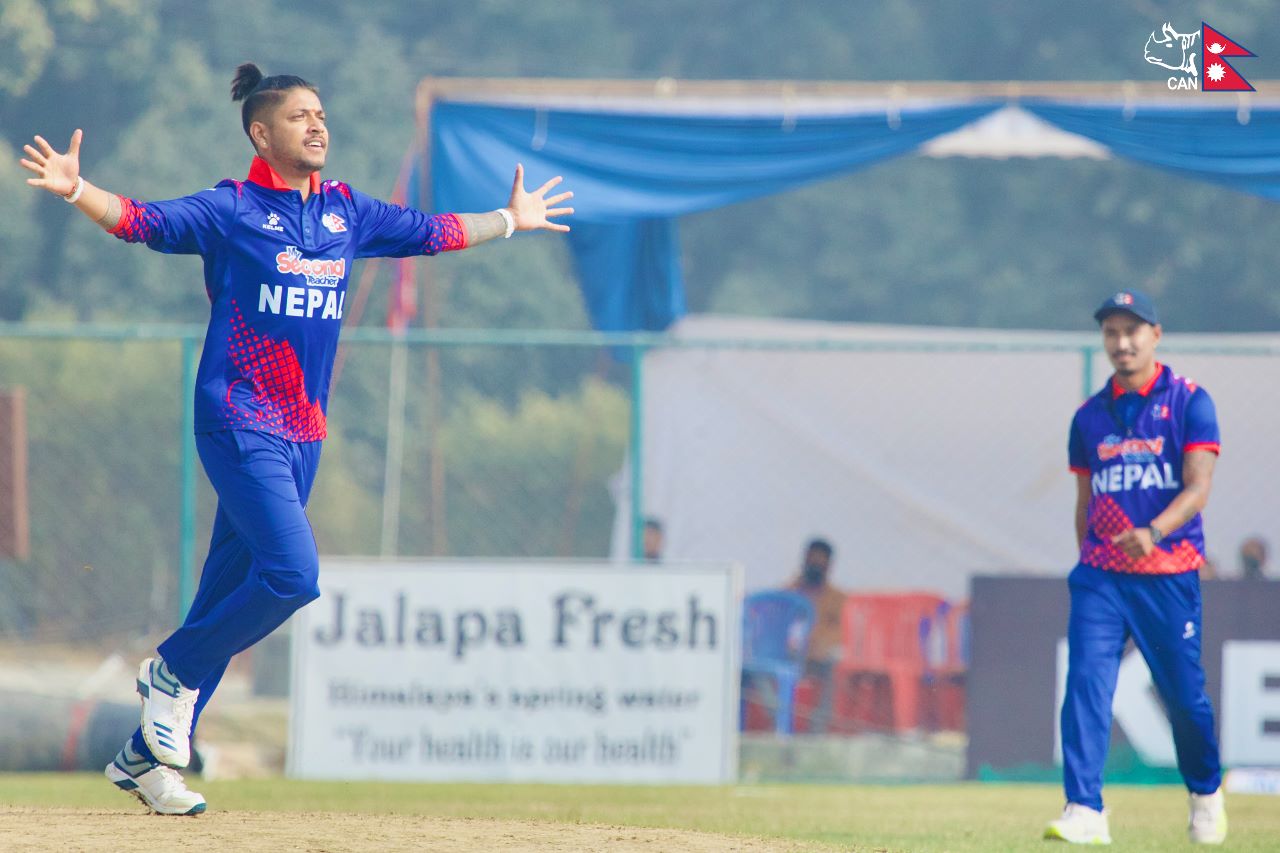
(505,672)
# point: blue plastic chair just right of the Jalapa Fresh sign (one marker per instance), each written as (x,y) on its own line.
(776,627)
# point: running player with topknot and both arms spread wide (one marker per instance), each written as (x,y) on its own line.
(277,249)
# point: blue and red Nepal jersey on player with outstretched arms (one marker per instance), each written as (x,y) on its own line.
(277,273)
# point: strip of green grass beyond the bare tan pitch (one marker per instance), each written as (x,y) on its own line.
(980,818)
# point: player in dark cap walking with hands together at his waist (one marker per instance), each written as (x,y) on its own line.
(1144,451)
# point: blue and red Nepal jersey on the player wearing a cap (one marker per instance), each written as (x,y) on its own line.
(1132,445)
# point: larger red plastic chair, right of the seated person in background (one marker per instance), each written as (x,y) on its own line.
(880,678)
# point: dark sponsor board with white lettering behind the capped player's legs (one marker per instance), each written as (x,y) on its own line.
(1018,674)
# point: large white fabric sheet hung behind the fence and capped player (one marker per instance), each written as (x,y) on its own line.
(924,455)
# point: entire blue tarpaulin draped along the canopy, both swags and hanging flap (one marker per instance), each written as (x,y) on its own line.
(633,174)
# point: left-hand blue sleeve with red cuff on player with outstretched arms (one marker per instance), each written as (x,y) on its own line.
(190,226)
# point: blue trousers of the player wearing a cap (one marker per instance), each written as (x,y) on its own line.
(1163,615)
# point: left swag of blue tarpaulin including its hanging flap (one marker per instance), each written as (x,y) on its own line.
(633,174)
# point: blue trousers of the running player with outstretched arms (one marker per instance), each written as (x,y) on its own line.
(263,563)
